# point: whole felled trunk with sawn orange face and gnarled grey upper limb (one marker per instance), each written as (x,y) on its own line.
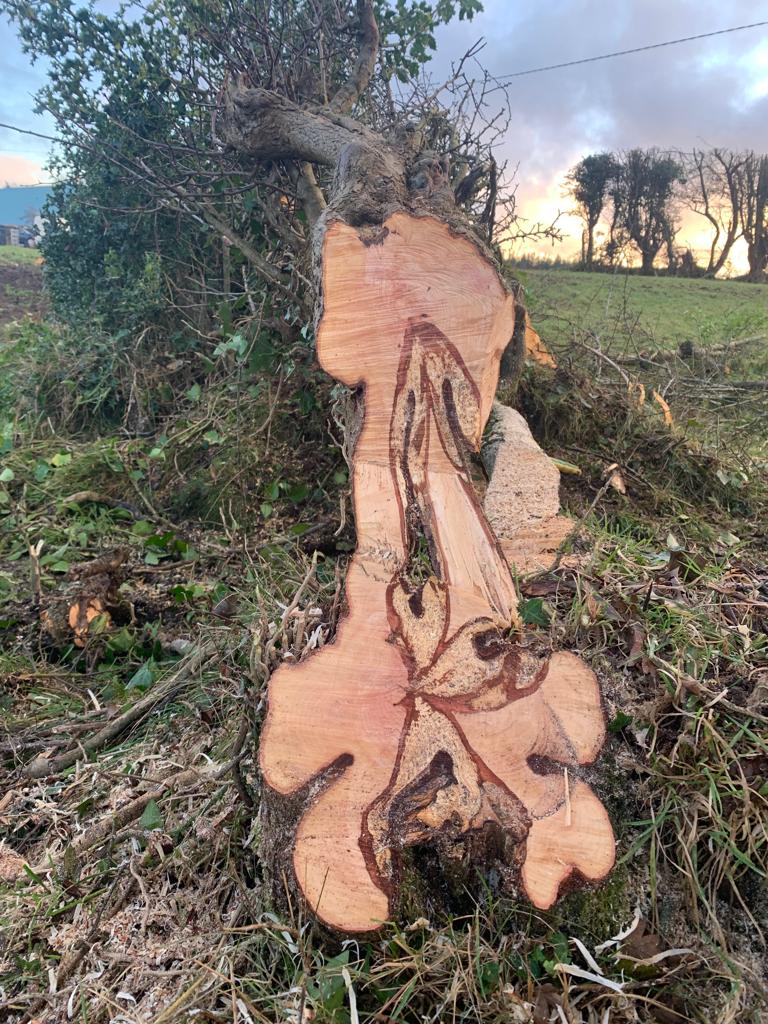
(430,721)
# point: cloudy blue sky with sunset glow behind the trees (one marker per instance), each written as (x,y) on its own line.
(711,93)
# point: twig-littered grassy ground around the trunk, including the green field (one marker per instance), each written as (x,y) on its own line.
(134,882)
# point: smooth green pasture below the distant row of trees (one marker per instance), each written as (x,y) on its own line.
(644,313)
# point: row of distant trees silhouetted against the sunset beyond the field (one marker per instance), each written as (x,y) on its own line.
(642,196)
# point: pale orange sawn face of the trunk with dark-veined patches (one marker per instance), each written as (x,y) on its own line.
(428,718)
